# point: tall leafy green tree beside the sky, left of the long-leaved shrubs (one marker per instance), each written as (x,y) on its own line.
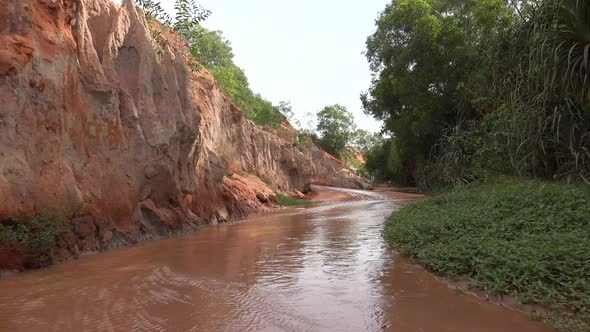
(424,56)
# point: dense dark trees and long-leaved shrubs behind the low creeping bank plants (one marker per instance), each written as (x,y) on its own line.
(471,87)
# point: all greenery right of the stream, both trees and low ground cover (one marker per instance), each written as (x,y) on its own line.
(475,89)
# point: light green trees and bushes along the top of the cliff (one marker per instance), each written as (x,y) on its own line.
(211,50)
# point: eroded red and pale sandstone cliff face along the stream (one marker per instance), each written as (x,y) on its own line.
(124,143)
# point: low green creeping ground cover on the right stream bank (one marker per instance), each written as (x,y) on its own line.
(525,238)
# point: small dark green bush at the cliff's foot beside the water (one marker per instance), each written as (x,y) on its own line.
(36,235)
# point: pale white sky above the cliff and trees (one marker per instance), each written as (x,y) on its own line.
(305,51)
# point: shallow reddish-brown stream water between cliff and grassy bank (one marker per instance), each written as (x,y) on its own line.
(320,268)
